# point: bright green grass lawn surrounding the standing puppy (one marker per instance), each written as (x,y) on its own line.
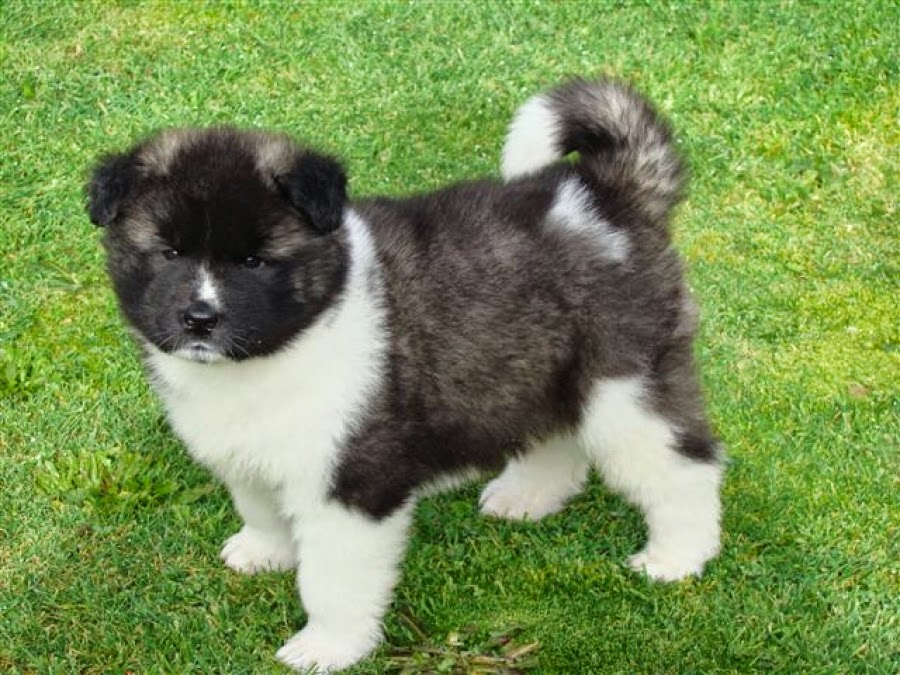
(790,115)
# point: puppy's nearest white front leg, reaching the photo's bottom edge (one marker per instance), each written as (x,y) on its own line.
(349,564)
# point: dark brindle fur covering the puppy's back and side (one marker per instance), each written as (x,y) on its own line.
(501,328)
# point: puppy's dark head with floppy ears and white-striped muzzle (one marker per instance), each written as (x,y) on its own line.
(221,244)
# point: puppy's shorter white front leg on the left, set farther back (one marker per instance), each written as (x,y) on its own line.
(264,543)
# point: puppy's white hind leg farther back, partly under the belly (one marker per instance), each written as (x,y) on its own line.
(537,483)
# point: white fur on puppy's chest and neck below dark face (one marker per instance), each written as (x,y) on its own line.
(279,420)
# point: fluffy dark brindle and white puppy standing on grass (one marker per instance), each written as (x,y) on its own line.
(330,361)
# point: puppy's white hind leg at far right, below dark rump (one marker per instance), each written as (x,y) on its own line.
(670,472)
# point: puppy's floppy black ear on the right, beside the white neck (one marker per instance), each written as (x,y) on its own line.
(317,186)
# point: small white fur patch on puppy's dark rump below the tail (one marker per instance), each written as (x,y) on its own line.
(572,210)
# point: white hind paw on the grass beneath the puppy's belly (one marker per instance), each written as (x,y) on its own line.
(505,497)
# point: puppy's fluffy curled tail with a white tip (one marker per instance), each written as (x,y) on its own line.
(620,138)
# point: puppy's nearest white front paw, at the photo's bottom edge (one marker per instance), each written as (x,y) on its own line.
(316,650)
